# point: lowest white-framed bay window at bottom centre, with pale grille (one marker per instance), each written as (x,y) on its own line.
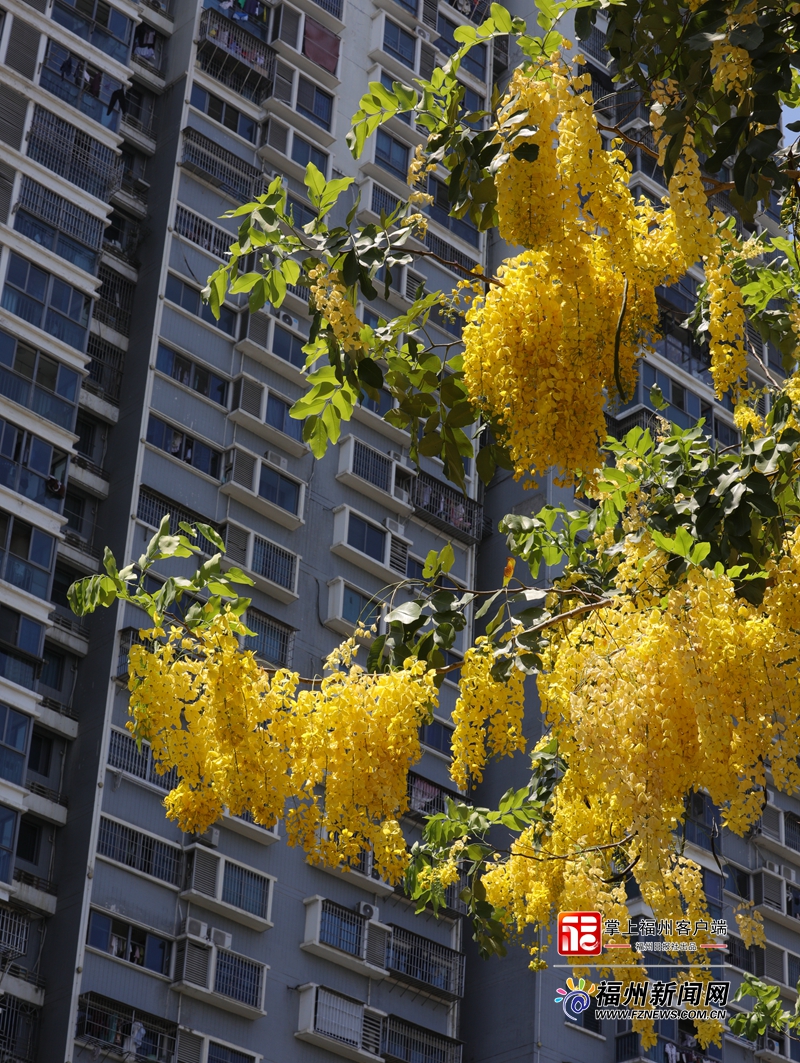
(342,1025)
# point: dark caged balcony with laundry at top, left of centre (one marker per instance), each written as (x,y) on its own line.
(235,58)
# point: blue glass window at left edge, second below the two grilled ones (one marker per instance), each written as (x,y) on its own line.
(39,382)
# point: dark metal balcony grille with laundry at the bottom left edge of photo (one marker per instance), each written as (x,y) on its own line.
(105,1022)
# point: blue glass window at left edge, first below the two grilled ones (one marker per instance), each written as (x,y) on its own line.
(47,302)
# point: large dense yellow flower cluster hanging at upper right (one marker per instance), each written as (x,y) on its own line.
(570,317)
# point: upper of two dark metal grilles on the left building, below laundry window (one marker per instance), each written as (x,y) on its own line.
(74,155)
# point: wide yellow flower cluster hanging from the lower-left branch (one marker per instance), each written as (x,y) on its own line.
(332,761)
